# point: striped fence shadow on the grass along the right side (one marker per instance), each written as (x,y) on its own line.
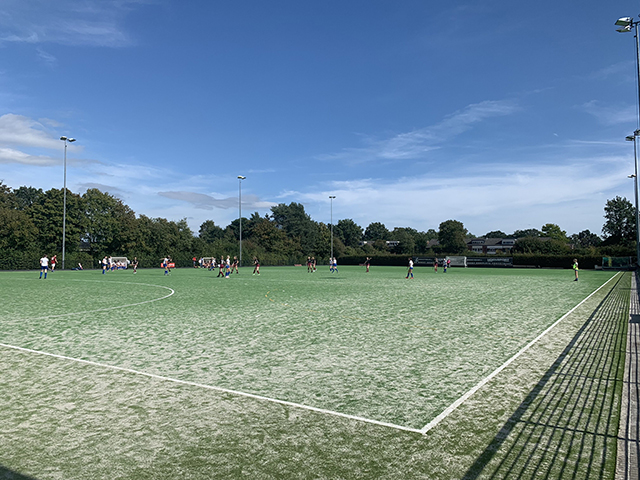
(567,426)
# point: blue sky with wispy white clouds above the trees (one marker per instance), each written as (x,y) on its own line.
(502,115)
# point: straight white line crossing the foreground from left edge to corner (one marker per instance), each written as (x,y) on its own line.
(217,389)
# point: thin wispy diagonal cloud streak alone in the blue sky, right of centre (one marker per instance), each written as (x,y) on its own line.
(417,143)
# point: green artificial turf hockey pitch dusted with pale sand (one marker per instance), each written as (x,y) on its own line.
(392,353)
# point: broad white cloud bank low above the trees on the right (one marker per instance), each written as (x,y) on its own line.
(507,197)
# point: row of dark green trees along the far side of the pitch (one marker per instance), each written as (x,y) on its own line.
(100,224)
